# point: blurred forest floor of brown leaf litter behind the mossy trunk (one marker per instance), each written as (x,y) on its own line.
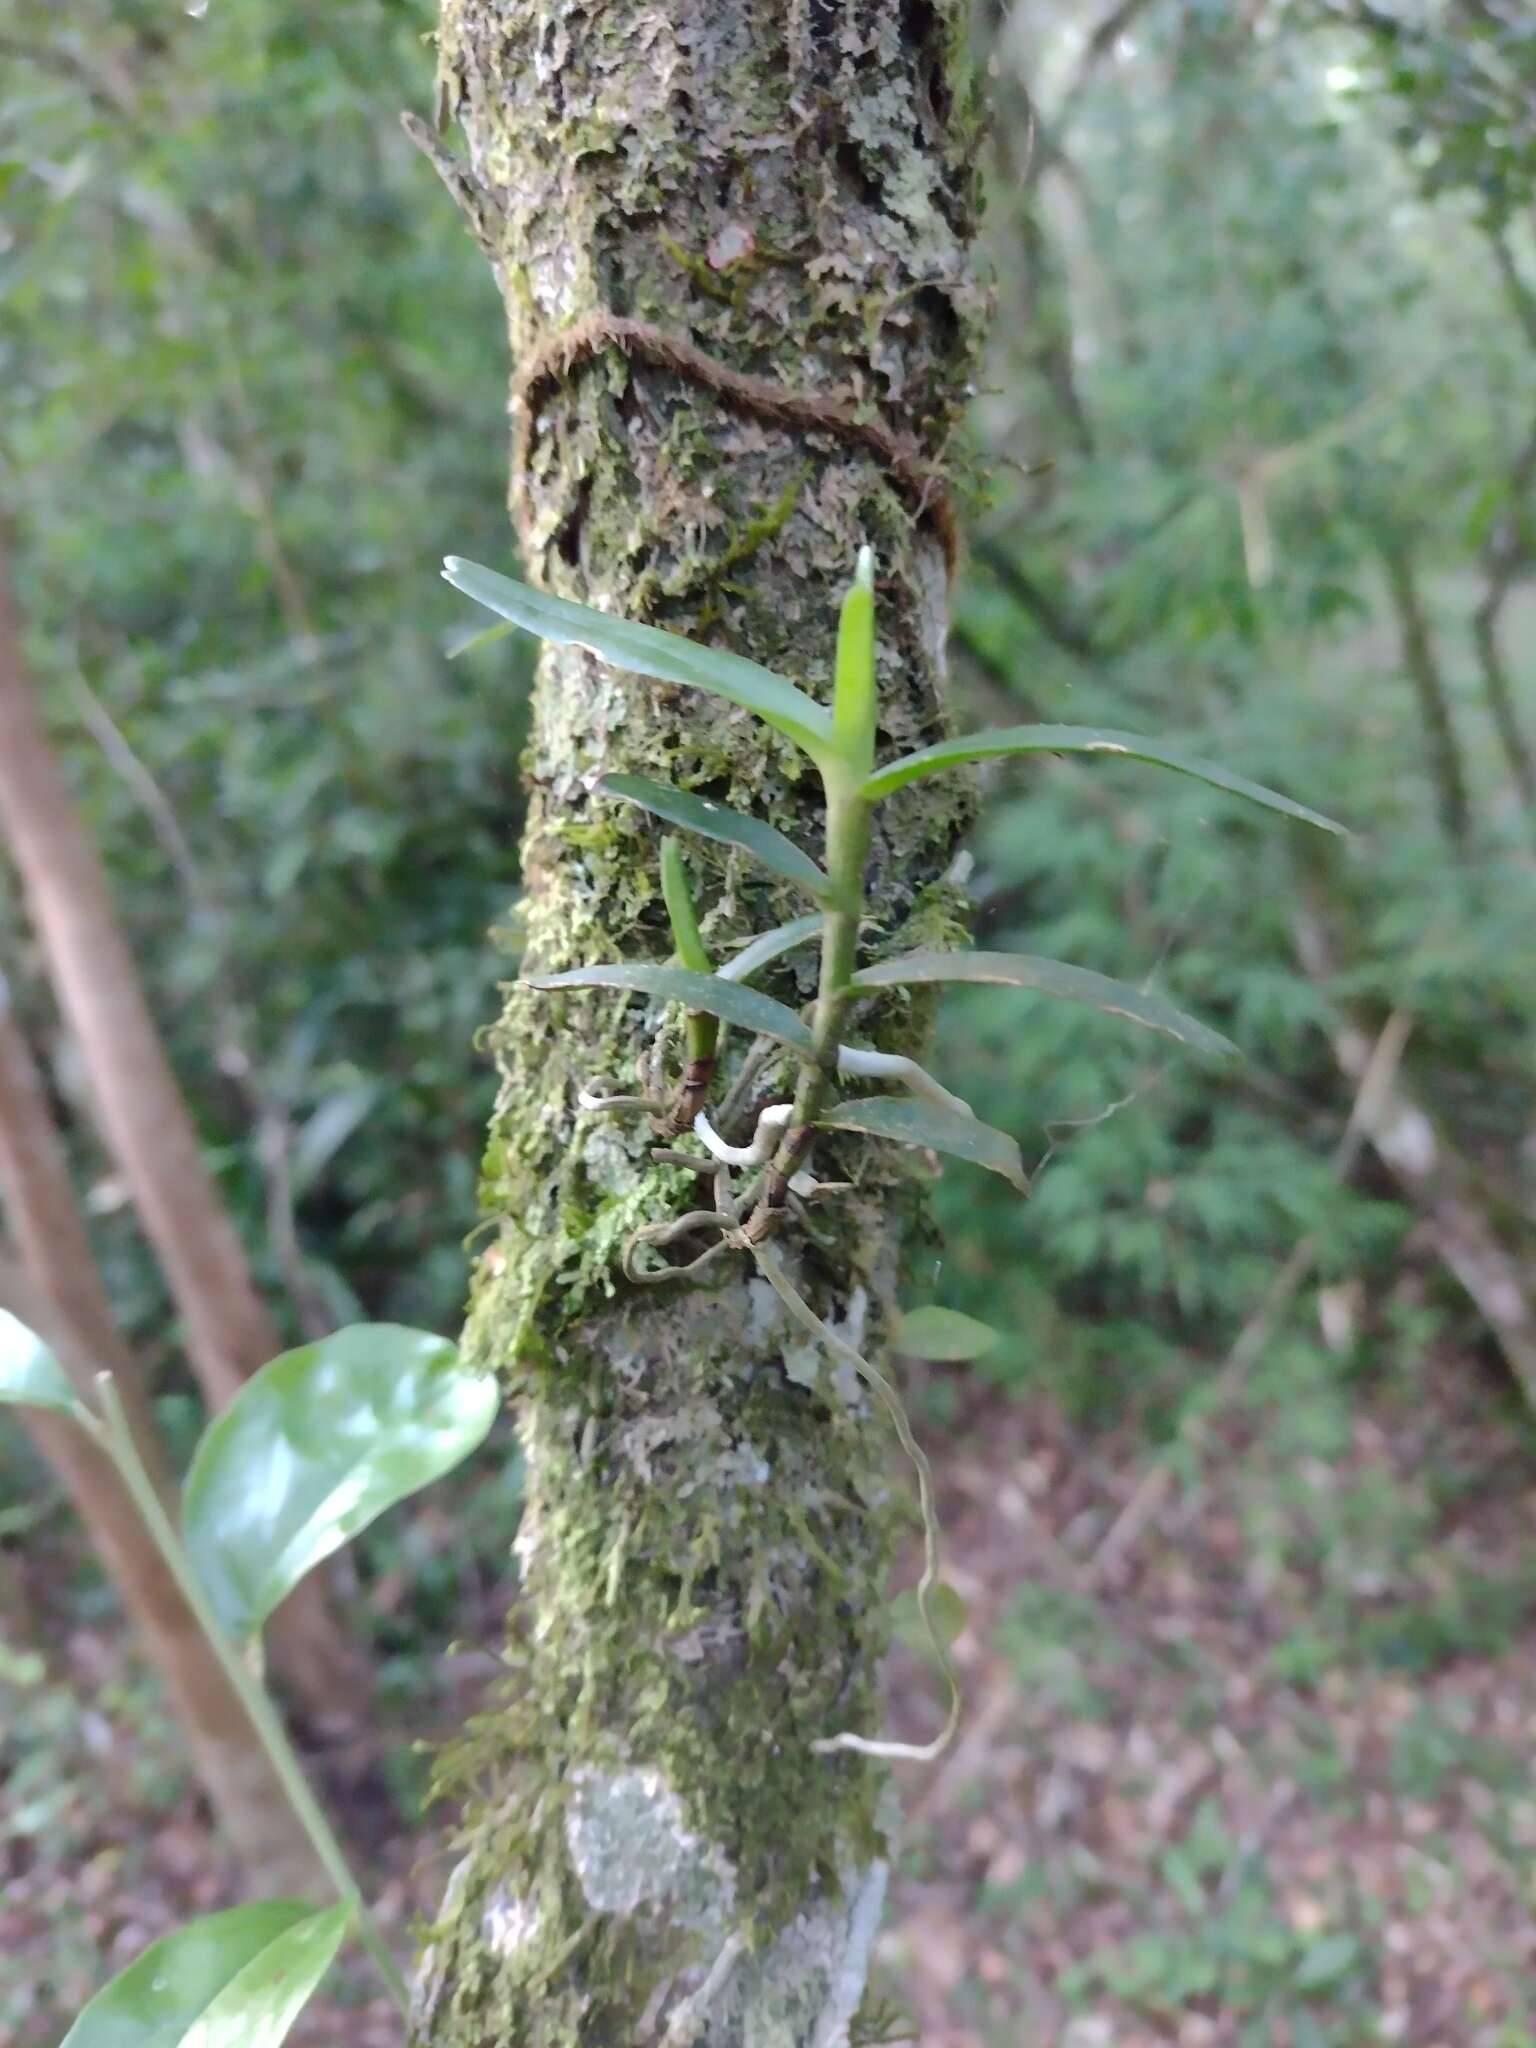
(1263,1781)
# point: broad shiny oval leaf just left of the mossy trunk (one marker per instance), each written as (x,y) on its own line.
(314,1449)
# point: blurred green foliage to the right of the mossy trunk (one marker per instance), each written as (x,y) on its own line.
(1267,355)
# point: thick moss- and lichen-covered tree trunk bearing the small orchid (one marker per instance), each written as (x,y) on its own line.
(652,1848)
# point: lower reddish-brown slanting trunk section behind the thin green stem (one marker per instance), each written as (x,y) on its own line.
(249,1803)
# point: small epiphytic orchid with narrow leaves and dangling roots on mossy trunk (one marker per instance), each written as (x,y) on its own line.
(767,1177)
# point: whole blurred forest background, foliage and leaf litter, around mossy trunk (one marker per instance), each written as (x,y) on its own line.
(1242,1496)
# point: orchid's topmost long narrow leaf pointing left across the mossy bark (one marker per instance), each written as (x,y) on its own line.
(648,652)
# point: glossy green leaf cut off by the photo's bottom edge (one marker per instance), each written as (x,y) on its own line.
(226,1981)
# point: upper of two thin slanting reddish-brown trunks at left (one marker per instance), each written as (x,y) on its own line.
(146,1125)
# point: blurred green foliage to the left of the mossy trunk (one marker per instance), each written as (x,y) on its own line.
(255,392)
